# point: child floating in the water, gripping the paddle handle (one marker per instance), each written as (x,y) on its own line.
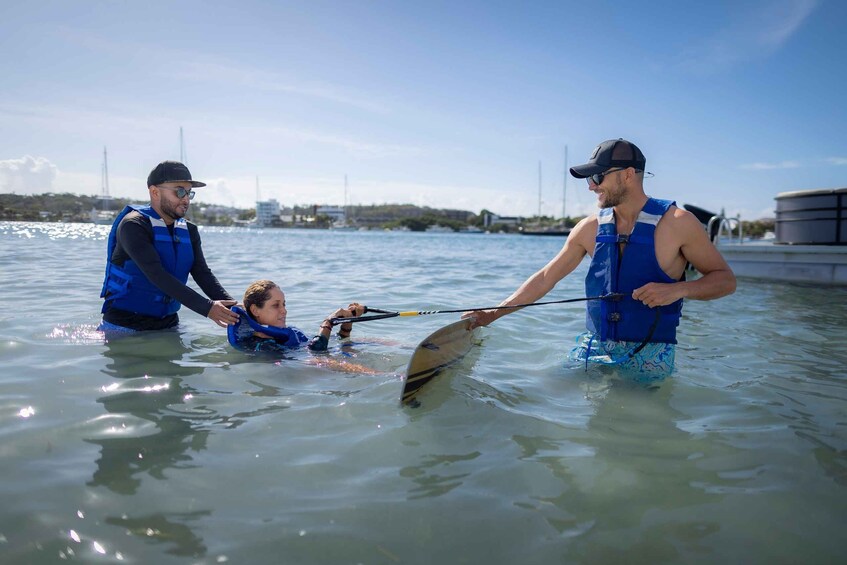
(262,324)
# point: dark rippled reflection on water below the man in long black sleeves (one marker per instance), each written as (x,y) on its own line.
(155,435)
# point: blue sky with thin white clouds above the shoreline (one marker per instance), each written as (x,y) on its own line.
(446,104)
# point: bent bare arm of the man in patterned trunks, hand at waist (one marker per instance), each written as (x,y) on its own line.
(692,242)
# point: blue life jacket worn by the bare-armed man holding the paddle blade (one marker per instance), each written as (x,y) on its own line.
(611,272)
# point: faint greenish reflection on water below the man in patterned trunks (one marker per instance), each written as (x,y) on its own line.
(636,471)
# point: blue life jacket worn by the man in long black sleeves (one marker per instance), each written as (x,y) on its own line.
(126,287)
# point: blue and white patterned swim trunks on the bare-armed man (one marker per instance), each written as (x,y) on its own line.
(654,360)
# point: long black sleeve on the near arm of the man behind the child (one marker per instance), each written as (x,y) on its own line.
(135,240)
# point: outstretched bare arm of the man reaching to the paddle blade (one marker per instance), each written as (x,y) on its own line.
(579,243)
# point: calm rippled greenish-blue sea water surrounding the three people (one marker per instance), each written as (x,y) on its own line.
(173,448)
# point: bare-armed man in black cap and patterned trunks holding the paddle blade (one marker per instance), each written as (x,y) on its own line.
(639,247)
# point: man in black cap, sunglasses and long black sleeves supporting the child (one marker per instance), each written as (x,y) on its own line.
(151,251)
